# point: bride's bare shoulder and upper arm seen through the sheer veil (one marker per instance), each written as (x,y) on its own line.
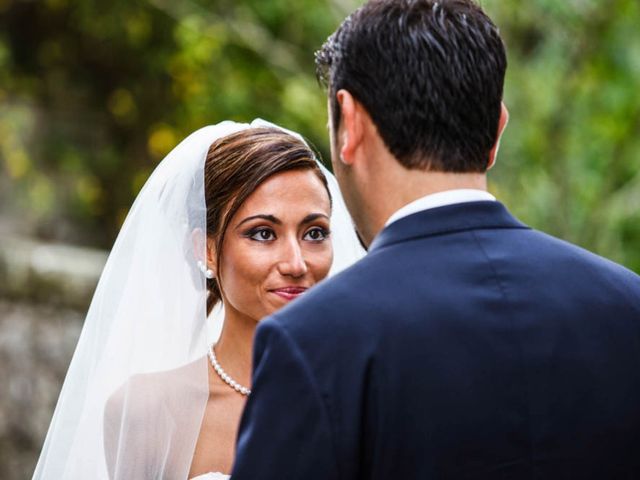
(152,418)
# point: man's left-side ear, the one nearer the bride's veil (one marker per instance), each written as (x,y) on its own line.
(351,127)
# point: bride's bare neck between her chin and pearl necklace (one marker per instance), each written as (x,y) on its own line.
(235,346)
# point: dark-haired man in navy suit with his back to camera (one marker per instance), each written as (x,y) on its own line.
(465,345)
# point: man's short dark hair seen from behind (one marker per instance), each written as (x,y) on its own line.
(429,73)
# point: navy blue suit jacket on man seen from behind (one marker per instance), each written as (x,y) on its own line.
(464,346)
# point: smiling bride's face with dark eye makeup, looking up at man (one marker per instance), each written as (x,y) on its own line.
(277,244)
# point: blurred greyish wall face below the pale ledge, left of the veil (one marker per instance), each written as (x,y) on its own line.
(36,345)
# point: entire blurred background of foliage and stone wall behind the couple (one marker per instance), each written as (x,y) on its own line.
(94,93)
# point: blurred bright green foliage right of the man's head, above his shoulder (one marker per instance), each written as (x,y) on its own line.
(570,159)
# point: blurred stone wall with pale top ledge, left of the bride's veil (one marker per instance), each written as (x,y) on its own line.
(44,294)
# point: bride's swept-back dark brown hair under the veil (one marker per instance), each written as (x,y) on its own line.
(235,166)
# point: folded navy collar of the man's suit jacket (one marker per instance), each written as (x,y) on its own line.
(448,219)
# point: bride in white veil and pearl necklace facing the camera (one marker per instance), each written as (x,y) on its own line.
(237,221)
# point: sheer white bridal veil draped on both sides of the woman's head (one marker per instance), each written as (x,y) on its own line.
(135,393)
